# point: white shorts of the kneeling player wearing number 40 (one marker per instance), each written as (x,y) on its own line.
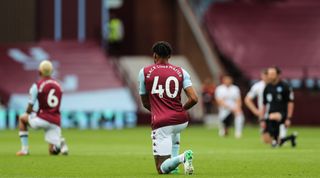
(162,138)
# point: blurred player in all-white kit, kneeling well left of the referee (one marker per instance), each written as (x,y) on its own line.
(228,98)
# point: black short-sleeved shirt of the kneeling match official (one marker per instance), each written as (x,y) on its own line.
(276,97)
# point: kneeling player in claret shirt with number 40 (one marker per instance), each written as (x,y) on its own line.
(160,87)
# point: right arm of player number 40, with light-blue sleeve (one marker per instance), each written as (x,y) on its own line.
(189,91)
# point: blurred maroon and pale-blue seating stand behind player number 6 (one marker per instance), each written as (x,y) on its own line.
(86,73)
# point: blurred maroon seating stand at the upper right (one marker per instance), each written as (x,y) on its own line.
(255,35)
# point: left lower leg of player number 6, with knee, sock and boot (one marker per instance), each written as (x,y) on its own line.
(23,134)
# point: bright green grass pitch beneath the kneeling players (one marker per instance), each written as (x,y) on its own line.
(127,153)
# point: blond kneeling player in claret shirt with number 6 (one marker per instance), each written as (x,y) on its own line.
(48,93)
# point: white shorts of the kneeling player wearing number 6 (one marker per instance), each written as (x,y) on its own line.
(52,131)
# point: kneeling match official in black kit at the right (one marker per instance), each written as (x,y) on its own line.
(278,100)
